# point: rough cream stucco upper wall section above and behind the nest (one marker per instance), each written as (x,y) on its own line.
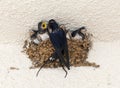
(101,17)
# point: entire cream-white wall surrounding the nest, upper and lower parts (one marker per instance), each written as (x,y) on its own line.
(101,17)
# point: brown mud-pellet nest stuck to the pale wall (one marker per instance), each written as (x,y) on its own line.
(78,51)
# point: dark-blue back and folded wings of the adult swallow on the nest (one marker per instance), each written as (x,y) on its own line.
(59,42)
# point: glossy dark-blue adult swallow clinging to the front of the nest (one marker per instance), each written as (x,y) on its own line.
(58,39)
